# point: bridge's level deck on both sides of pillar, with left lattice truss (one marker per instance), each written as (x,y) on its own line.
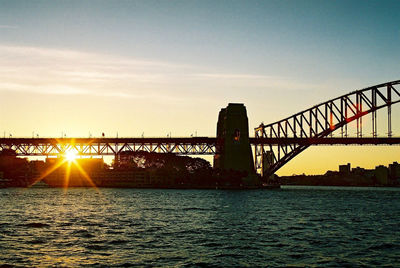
(184,146)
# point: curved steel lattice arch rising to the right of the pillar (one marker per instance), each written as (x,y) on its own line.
(320,121)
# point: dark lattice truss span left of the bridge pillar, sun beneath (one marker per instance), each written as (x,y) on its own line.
(108,146)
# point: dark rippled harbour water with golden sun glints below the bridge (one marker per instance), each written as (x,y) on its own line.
(301,226)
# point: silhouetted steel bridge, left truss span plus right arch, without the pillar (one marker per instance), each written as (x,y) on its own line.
(274,144)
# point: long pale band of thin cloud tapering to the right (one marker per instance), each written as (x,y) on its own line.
(69,72)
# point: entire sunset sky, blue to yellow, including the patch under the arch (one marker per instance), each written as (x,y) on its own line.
(157,67)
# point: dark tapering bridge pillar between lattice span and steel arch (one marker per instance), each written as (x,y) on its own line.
(233,150)
